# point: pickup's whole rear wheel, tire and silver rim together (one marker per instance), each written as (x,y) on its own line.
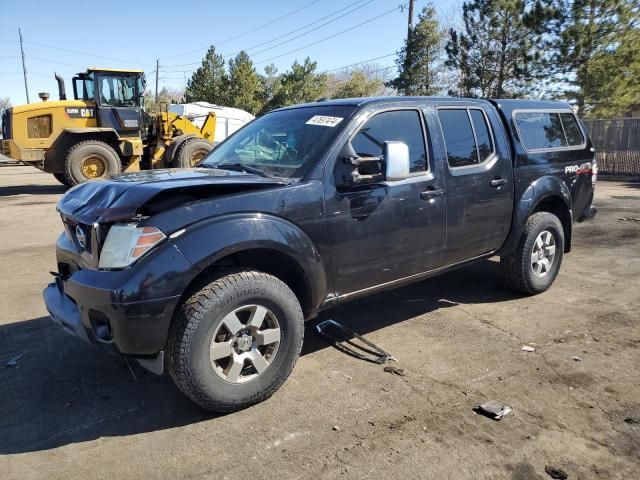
(533,266)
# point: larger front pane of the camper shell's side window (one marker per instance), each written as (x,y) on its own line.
(540,130)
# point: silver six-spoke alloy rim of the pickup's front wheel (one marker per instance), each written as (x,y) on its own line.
(245,343)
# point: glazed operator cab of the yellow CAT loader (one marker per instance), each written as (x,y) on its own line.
(118,96)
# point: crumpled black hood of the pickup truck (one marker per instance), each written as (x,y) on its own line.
(121,198)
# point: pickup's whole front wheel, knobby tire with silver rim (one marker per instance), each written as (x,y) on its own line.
(235,341)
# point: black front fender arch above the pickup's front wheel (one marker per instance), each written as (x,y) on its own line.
(211,240)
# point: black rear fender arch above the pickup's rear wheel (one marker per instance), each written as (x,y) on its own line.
(539,190)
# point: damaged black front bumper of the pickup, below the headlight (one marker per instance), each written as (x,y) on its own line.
(126,312)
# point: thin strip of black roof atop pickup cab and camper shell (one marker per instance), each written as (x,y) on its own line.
(504,104)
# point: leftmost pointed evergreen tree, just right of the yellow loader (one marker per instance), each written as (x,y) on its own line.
(209,83)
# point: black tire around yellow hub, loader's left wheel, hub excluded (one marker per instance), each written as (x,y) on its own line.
(82,150)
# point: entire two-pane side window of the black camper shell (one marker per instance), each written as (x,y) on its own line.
(548,130)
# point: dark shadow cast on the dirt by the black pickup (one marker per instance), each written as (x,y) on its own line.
(61,391)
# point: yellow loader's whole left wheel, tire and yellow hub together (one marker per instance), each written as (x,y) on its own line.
(91,160)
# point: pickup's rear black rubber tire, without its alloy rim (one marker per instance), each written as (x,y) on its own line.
(516,267)
